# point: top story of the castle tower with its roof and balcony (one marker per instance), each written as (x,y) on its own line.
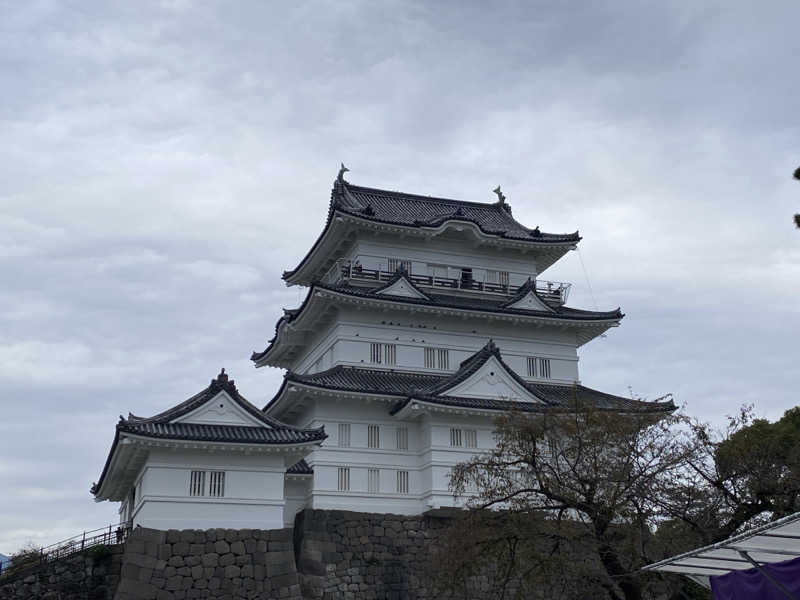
(458,247)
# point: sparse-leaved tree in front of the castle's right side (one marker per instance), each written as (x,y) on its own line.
(587,480)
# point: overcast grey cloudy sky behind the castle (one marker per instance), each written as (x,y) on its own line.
(162,163)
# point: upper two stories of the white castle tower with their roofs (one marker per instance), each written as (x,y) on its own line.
(414,283)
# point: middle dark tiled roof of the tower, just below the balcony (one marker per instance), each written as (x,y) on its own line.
(488,305)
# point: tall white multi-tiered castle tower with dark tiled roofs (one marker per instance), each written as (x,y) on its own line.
(424,318)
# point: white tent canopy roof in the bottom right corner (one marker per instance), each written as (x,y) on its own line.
(770,543)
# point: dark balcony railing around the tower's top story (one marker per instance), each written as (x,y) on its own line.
(553,292)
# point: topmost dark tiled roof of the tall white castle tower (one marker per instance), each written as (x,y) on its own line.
(400,208)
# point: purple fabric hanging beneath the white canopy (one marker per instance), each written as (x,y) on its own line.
(752,585)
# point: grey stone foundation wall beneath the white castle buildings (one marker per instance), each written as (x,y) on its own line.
(330,555)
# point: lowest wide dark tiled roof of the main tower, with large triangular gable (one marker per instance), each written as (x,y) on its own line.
(408,386)
